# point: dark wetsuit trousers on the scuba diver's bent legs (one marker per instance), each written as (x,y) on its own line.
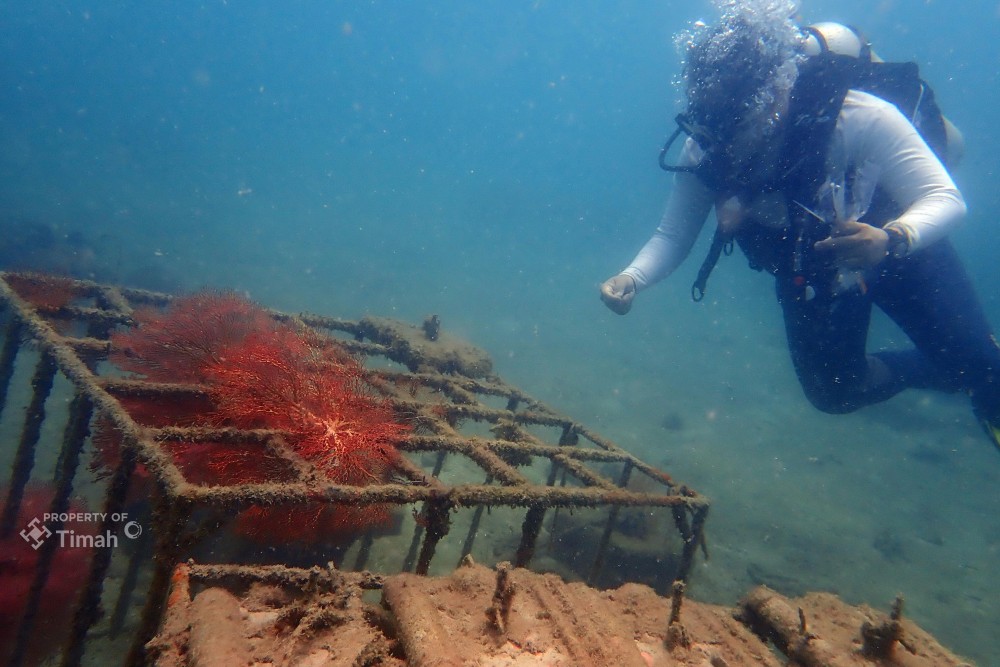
(929,295)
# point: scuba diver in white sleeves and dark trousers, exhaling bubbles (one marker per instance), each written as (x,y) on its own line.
(798,139)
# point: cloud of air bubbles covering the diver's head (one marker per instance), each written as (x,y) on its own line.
(735,70)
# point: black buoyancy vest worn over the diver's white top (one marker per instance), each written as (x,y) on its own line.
(815,103)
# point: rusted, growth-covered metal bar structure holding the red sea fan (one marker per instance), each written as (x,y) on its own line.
(477,445)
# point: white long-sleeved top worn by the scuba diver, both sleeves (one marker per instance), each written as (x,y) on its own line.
(868,130)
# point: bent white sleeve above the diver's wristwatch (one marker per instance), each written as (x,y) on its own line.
(909,171)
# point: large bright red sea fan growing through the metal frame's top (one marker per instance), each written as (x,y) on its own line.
(259,373)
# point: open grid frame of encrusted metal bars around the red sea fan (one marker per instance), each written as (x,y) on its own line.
(437,394)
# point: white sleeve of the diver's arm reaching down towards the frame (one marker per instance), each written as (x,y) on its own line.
(689,205)
